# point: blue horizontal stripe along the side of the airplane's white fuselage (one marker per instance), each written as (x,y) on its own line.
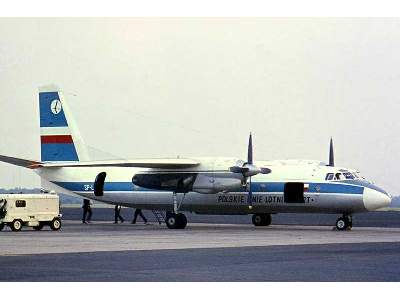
(265,187)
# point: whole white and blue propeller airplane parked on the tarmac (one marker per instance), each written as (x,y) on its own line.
(202,185)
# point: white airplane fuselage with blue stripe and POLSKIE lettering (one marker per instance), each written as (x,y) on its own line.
(320,195)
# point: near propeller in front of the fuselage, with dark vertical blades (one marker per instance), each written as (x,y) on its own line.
(248,169)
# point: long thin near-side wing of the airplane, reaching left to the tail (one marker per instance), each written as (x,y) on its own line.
(159,163)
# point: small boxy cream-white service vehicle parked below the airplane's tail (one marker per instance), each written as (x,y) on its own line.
(34,210)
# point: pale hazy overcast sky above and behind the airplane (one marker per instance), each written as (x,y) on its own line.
(162,87)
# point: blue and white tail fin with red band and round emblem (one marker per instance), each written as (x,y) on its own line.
(59,137)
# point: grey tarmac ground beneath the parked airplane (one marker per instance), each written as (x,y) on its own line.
(205,251)
